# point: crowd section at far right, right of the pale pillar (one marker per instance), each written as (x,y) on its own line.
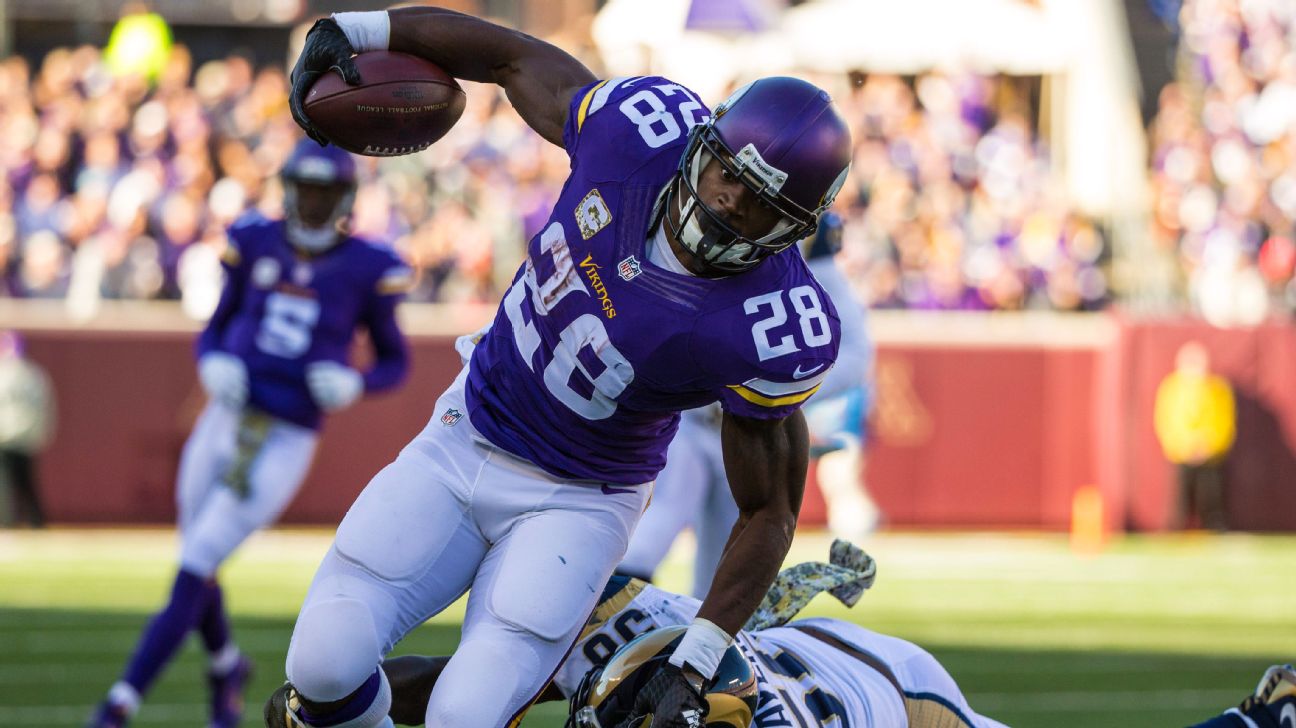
(1224,159)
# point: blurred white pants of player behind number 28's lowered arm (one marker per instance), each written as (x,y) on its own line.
(691,492)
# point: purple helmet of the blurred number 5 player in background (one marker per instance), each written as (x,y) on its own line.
(325,168)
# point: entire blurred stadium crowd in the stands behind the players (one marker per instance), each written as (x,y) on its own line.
(119,187)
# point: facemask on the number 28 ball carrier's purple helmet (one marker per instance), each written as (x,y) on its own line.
(704,234)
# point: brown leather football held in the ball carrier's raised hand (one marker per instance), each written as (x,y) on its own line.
(402,107)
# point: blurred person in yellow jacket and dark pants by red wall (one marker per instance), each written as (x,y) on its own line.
(1196,424)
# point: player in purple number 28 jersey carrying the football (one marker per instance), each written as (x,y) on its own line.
(665,279)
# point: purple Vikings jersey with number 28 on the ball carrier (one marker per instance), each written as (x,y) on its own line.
(596,350)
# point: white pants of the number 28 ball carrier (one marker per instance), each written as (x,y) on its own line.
(453,515)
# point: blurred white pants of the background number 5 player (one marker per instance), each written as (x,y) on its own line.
(213,518)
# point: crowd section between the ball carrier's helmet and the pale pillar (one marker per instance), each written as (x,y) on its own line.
(952,204)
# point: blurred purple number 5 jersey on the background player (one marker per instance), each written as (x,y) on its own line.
(282,310)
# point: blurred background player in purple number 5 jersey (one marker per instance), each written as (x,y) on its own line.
(273,359)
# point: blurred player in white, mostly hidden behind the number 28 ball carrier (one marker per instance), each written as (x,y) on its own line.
(693,490)
